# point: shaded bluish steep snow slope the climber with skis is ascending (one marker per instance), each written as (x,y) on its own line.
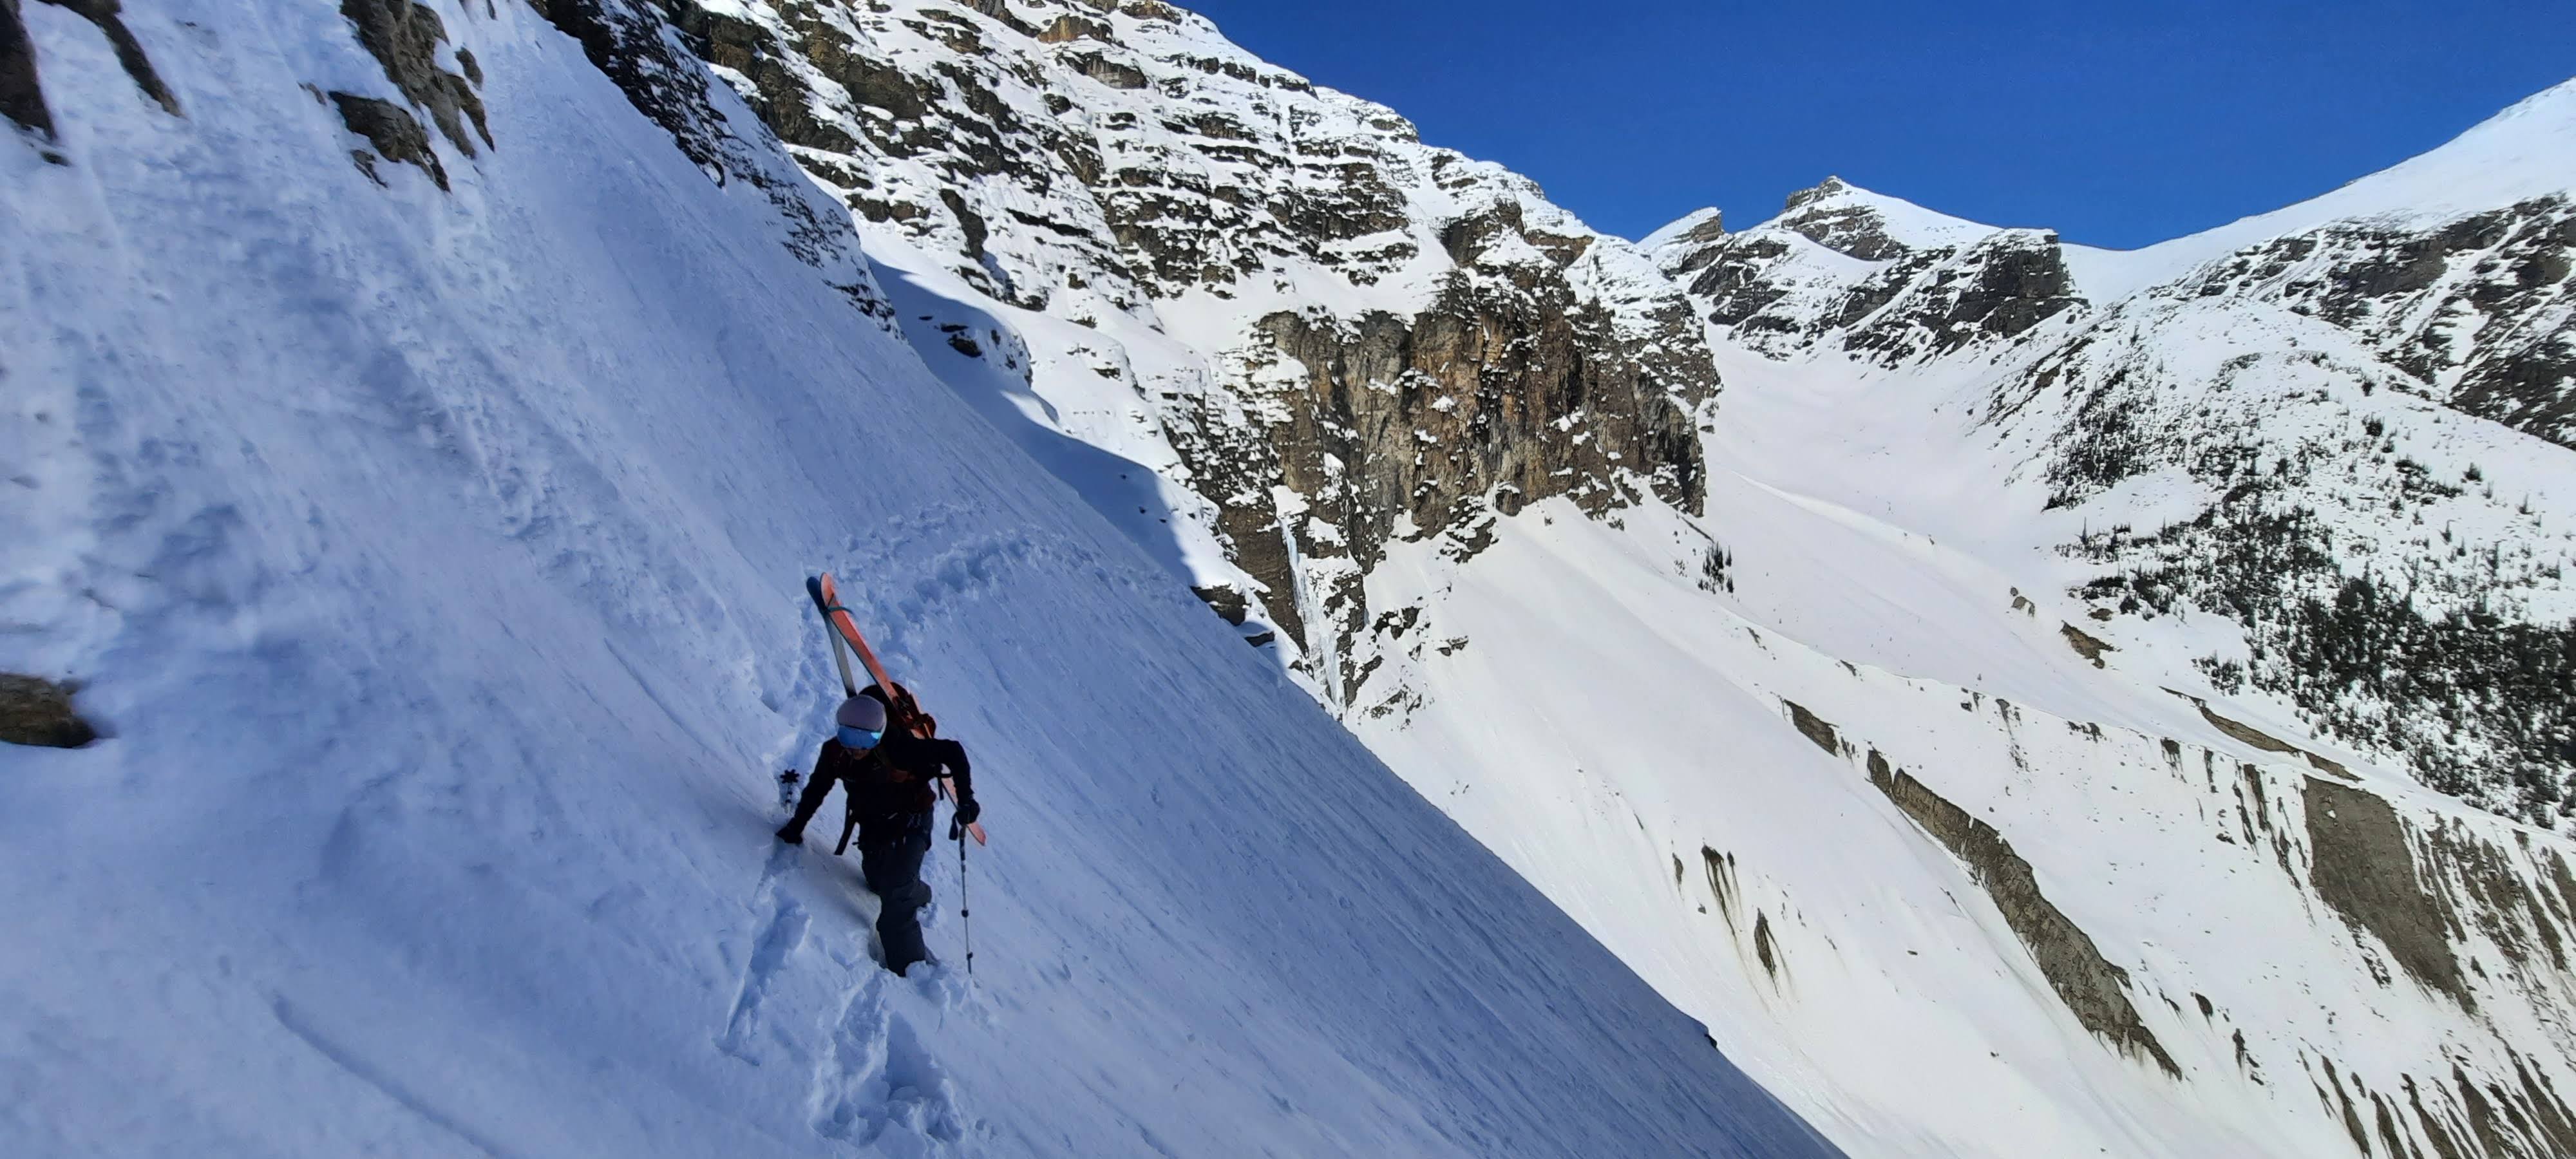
(431,552)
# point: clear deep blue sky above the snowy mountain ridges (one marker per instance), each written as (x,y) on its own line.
(2114,122)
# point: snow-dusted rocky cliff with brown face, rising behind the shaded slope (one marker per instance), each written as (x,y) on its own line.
(1359,336)
